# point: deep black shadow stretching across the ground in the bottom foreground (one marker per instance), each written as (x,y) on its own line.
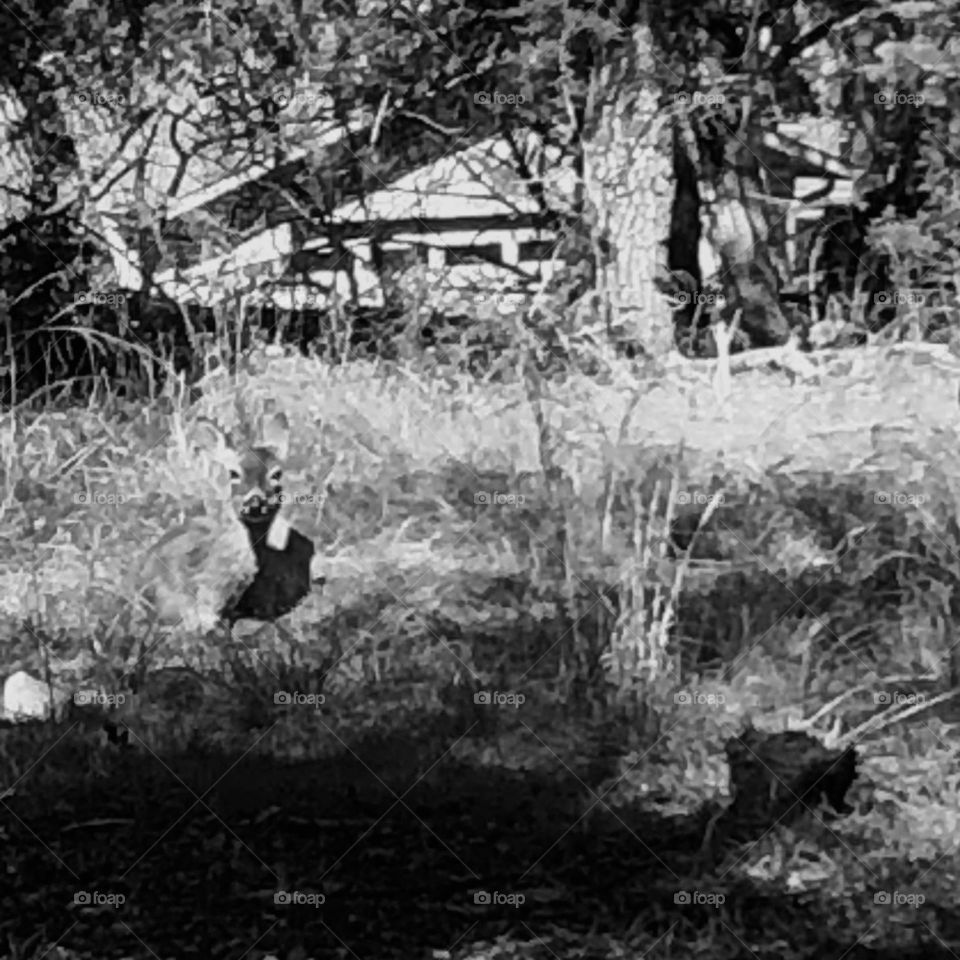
(356,856)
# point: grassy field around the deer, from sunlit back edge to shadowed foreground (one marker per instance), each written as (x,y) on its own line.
(499,726)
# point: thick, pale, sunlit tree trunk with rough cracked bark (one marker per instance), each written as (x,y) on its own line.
(629,189)
